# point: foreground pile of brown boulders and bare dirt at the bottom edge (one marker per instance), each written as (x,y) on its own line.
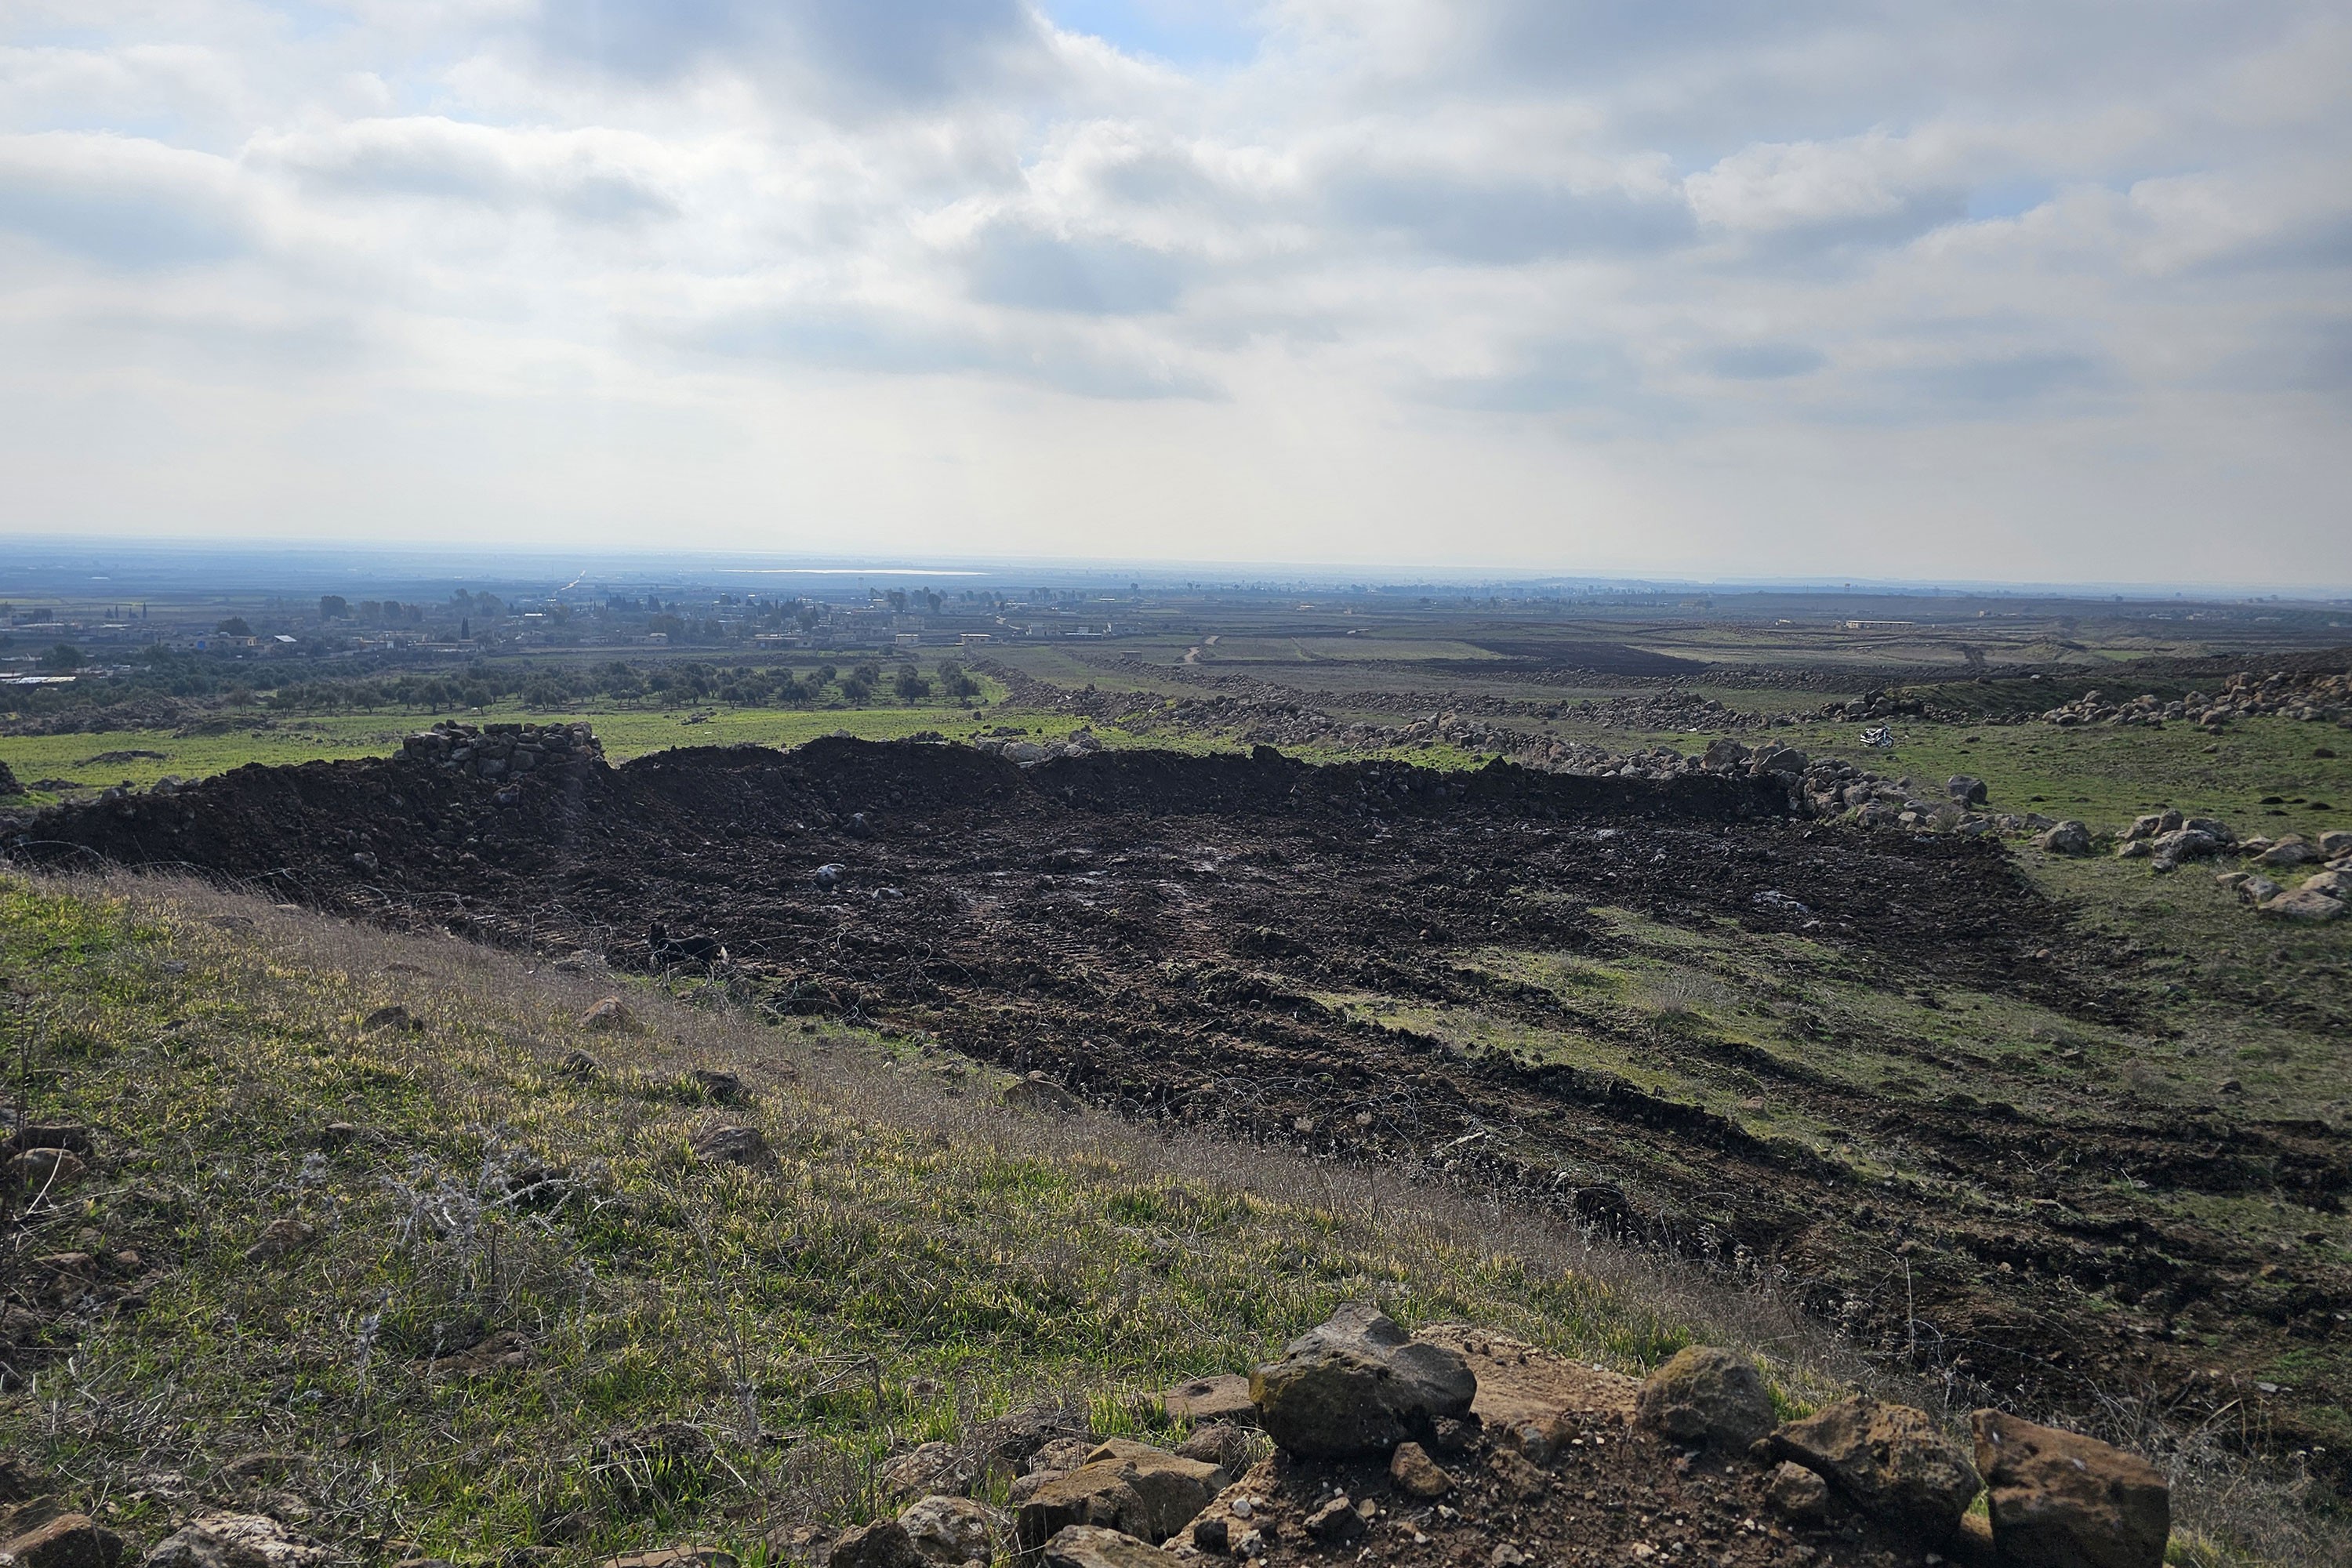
(1466,1447)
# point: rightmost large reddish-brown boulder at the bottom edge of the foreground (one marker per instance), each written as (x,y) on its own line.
(2064,1501)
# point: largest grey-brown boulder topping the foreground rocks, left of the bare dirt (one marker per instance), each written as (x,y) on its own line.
(1358,1386)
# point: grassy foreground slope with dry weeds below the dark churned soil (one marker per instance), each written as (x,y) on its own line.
(519,1271)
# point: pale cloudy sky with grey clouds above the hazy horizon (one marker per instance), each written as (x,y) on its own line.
(1996,293)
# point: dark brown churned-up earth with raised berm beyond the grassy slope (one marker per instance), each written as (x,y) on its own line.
(1161,934)
